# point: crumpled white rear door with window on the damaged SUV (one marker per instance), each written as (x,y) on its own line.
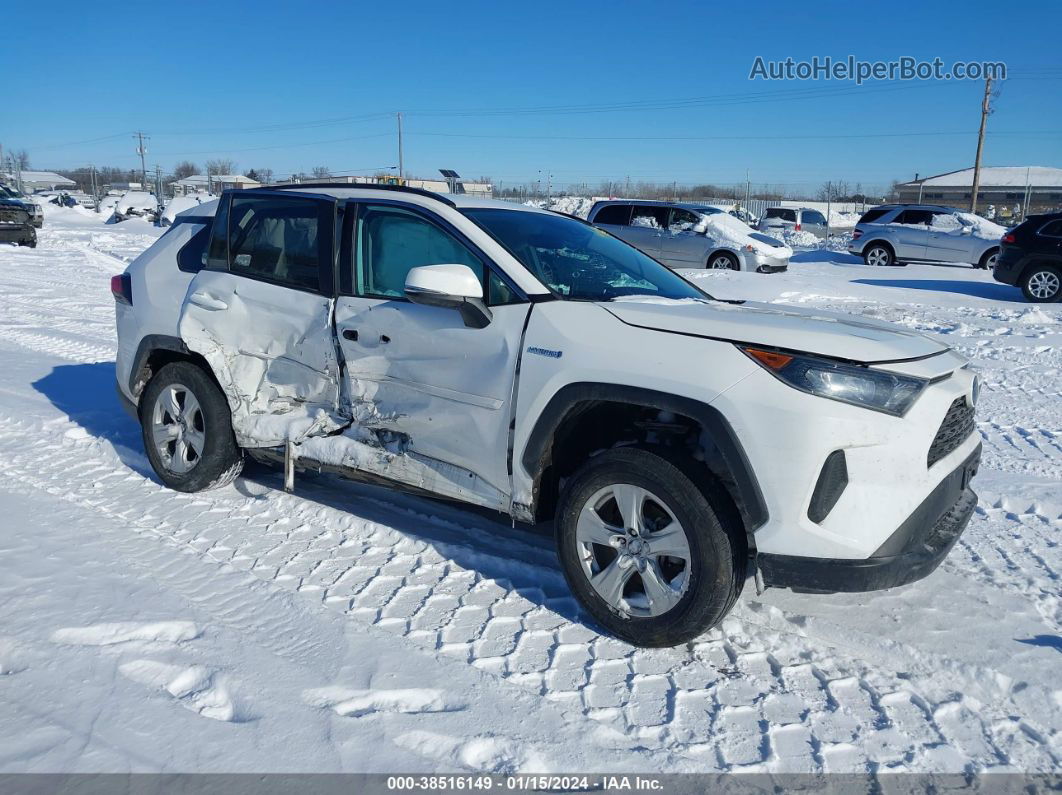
(262,315)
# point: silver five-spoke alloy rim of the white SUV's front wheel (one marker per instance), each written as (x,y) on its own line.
(635,551)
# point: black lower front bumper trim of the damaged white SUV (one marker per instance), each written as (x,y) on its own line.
(913,552)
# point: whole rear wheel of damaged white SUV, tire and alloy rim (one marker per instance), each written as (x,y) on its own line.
(187,430)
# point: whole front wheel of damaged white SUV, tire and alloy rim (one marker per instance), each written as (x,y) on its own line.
(644,551)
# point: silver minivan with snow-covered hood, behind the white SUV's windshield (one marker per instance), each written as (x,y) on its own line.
(691,236)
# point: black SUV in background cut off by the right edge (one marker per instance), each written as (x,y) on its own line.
(1031,257)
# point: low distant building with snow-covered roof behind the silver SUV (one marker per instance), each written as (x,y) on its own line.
(1009,189)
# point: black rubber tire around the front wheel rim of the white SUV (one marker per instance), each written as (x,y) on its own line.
(716,573)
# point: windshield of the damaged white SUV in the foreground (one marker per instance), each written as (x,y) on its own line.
(579,262)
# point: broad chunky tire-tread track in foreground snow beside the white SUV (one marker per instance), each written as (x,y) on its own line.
(521,627)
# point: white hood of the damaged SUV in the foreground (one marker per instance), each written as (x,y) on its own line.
(793,329)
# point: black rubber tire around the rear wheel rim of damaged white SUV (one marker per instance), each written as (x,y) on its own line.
(222,459)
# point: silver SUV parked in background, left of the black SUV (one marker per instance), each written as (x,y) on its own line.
(917,233)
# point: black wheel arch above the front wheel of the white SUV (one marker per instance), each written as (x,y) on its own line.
(585,418)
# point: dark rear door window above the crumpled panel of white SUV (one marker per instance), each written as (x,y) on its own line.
(283,239)
